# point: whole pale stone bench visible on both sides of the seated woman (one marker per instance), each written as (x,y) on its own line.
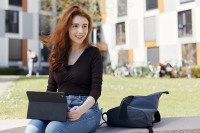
(167,125)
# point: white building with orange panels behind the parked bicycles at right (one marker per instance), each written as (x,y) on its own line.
(142,31)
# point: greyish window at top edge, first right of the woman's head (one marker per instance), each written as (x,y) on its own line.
(122,7)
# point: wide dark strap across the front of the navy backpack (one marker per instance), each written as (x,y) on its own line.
(123,110)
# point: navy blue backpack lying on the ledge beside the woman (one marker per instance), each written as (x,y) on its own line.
(135,112)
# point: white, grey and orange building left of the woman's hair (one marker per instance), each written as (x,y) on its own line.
(21,24)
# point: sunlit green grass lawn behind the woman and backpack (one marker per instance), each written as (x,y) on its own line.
(183,99)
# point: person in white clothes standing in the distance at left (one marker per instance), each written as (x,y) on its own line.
(30,56)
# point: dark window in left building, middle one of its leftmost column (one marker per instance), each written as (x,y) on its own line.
(12,21)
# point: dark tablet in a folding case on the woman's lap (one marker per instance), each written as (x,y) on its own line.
(50,106)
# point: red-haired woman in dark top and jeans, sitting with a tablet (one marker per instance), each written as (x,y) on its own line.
(76,69)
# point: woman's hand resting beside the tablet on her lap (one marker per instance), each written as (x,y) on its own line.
(75,113)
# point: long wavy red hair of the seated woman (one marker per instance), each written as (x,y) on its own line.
(60,39)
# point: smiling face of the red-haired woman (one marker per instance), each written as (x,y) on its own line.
(78,30)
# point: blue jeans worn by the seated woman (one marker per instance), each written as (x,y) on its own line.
(88,122)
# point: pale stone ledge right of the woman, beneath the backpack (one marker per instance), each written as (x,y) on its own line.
(167,125)
